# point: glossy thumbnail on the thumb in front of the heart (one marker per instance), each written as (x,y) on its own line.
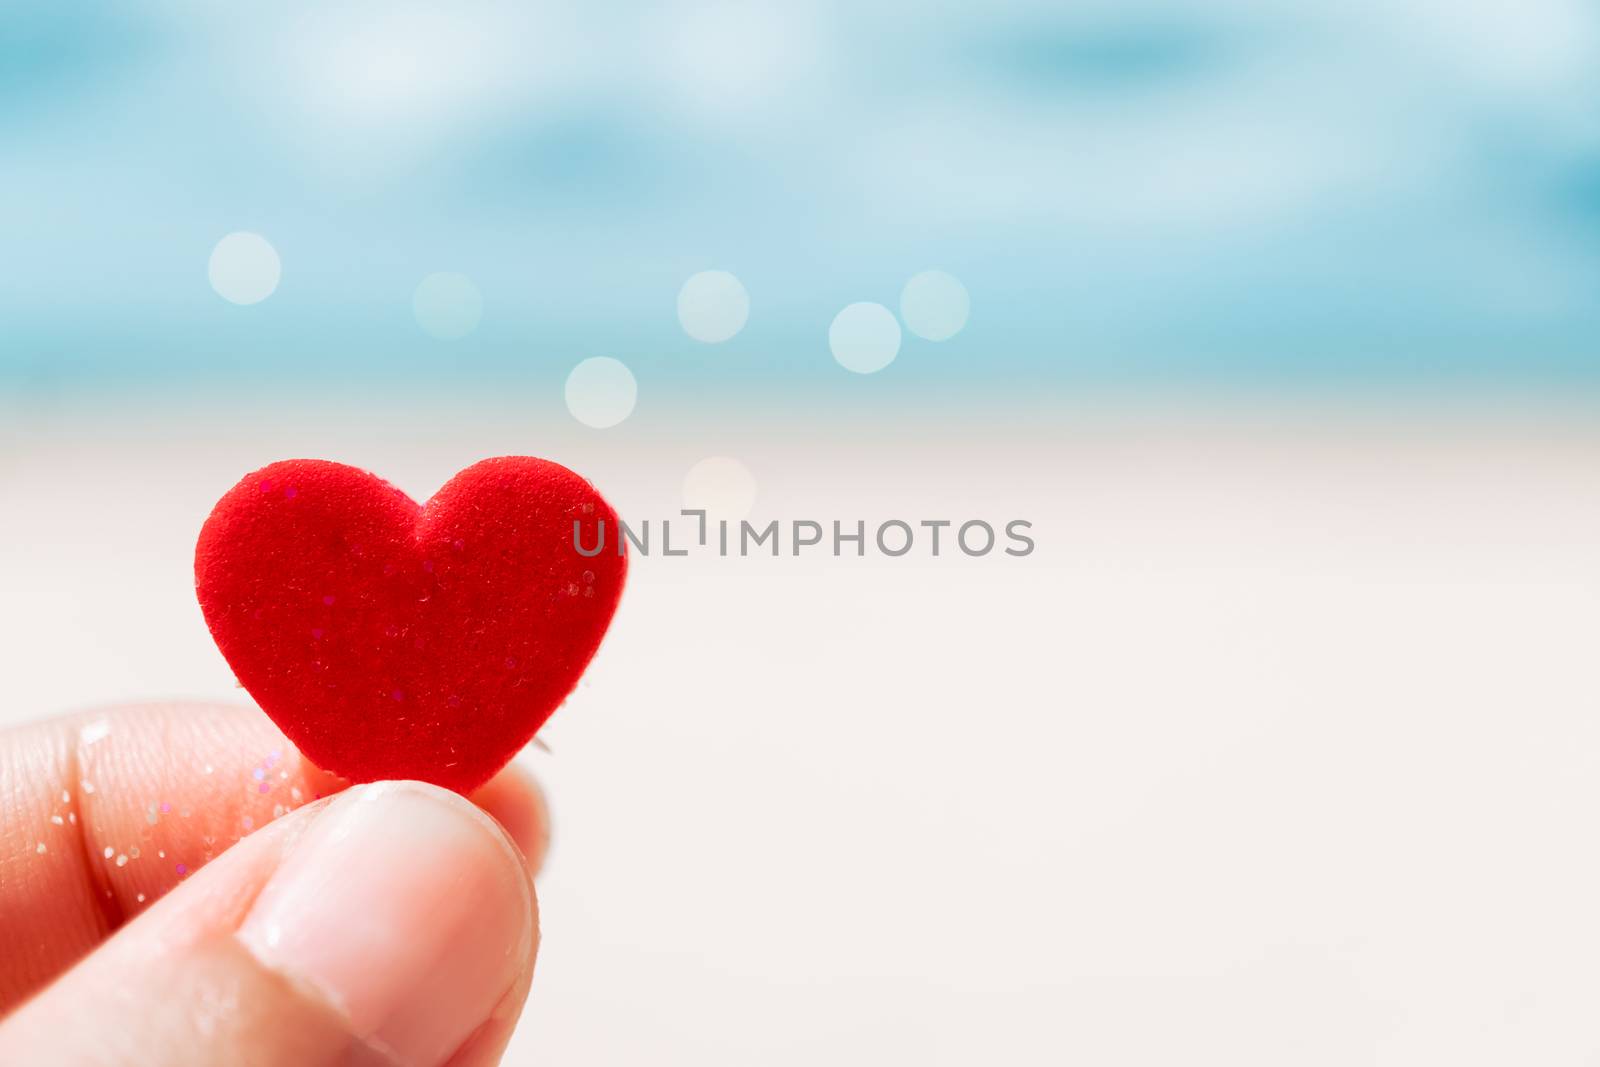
(409,909)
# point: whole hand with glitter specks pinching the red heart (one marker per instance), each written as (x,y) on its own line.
(180,887)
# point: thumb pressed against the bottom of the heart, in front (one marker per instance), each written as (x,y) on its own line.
(393,924)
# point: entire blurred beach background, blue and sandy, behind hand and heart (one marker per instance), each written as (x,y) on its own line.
(1279,322)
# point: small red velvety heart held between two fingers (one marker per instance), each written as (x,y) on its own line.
(394,641)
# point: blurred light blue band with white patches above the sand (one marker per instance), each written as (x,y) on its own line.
(1145,193)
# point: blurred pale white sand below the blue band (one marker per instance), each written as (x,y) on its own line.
(1282,749)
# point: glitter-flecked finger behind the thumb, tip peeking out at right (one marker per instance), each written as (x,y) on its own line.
(103,813)
